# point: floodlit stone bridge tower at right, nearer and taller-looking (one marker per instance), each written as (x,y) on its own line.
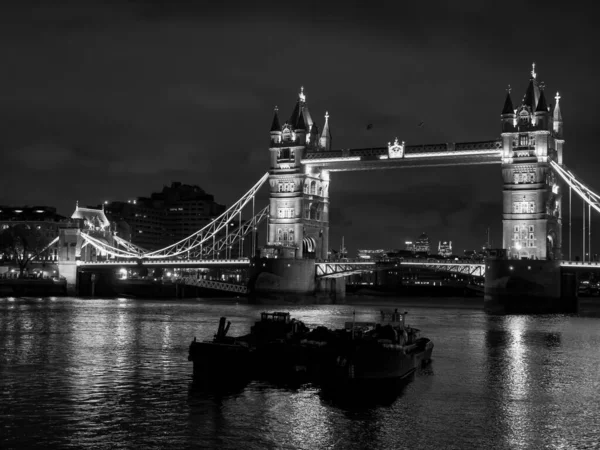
(531,137)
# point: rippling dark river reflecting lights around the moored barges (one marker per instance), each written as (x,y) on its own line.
(105,374)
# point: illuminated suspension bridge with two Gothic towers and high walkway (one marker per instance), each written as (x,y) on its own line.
(301,161)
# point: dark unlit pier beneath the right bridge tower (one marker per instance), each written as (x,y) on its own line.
(528,287)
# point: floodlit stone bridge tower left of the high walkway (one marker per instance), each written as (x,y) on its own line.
(298,195)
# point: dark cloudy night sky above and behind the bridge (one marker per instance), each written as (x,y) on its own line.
(112,100)
